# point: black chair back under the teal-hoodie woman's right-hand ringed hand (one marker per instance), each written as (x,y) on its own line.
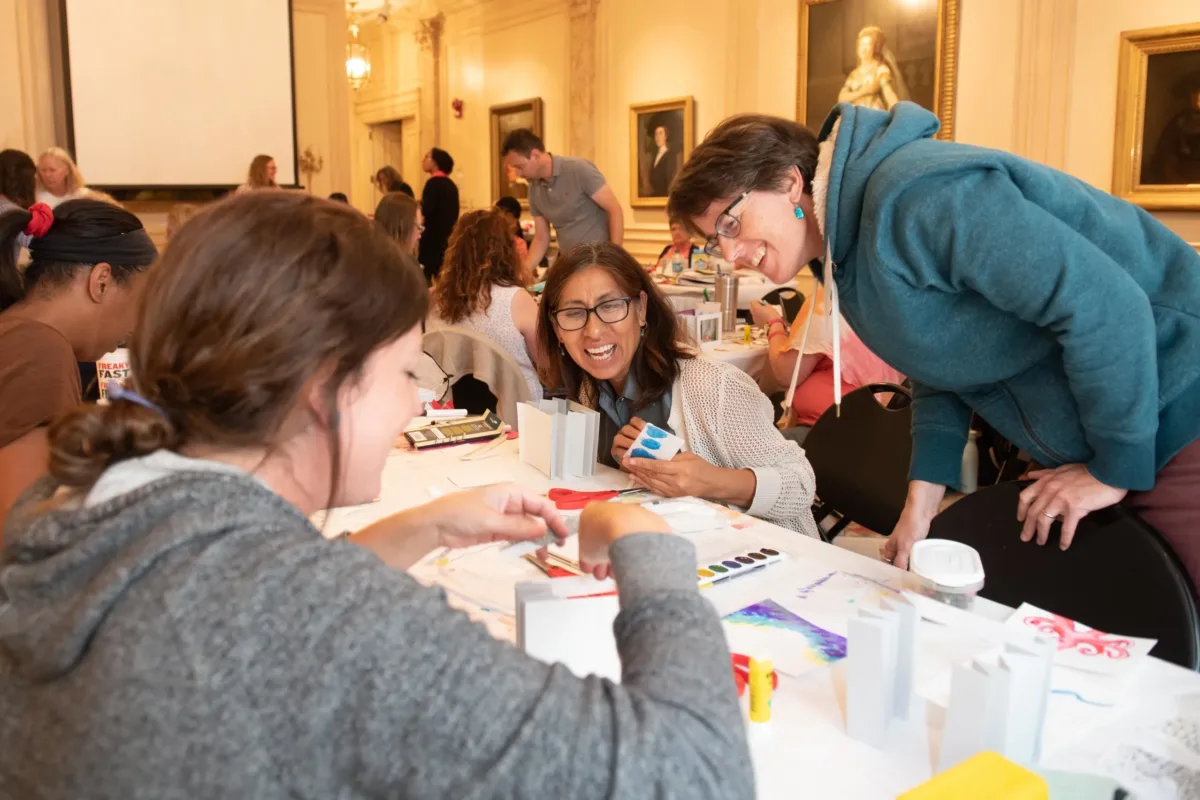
(1118,576)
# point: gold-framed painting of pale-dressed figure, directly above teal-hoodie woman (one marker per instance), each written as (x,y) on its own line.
(878,53)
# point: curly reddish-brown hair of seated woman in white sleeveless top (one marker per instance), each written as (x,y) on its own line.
(481,255)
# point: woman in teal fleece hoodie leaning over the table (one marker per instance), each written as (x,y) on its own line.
(1066,318)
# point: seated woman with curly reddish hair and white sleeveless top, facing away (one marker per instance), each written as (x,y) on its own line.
(482,288)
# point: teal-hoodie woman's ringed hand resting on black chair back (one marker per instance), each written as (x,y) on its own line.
(1069,492)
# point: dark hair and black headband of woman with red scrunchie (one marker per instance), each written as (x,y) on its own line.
(83,233)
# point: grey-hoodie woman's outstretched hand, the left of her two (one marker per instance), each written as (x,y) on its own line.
(500,513)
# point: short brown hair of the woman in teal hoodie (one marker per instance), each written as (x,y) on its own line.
(743,154)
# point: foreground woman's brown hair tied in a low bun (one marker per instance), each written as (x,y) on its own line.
(256,299)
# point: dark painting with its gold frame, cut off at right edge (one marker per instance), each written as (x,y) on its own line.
(1145,81)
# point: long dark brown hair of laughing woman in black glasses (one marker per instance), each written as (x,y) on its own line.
(657,362)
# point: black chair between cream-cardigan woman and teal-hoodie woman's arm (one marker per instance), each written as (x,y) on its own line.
(861,459)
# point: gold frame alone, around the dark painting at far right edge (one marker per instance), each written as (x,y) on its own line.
(1137,47)
